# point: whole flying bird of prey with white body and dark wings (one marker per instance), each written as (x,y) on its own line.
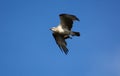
(63,31)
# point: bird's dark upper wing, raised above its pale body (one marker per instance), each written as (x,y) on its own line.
(67,20)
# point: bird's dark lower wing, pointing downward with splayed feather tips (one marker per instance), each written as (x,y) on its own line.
(60,42)
